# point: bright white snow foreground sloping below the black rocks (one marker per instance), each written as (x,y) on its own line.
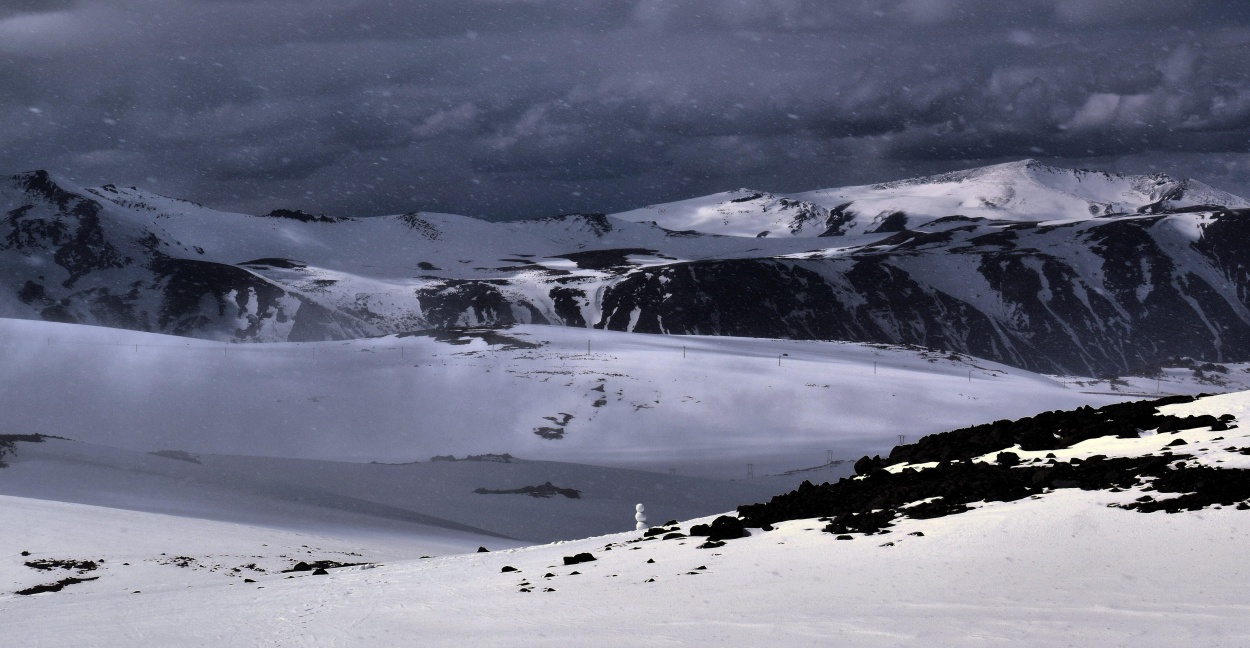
(1059,571)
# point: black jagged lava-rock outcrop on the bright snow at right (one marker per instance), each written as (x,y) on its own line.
(871,502)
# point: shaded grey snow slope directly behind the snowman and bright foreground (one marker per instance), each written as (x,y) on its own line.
(419,501)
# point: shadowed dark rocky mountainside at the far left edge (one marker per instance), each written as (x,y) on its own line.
(73,263)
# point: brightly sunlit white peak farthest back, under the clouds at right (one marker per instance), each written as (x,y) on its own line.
(1026,191)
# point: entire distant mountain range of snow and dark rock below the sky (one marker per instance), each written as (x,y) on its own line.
(1042,268)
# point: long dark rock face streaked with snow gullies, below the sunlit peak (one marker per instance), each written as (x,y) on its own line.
(1093,298)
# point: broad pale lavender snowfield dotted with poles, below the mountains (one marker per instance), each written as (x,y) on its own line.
(698,406)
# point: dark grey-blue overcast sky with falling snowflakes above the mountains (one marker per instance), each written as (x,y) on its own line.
(523,108)
